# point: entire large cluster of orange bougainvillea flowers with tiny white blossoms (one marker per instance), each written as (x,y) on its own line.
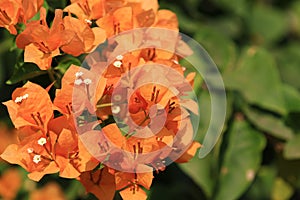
(111,123)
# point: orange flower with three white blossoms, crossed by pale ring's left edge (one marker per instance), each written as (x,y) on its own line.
(80,90)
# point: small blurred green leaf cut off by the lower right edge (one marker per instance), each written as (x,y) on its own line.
(291,149)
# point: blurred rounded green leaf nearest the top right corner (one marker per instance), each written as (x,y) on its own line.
(266,24)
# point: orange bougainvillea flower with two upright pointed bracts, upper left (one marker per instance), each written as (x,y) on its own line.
(40,42)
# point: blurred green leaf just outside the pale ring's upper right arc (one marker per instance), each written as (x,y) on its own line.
(221,48)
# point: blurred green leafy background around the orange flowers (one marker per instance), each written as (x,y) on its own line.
(256,45)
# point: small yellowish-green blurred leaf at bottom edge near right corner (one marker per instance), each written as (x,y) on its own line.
(281,190)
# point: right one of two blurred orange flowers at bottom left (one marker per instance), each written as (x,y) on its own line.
(51,191)
